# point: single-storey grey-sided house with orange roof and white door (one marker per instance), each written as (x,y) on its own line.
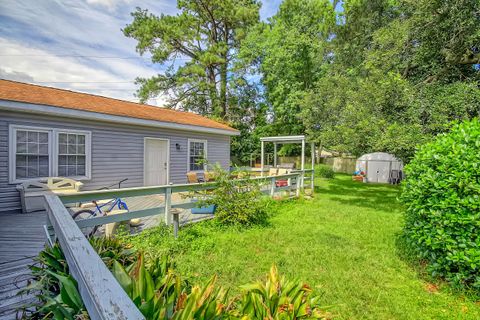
(97,140)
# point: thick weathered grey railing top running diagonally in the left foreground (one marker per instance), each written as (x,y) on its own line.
(102,295)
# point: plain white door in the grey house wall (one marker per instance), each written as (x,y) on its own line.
(156,162)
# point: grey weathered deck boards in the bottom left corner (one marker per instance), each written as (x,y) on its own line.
(21,239)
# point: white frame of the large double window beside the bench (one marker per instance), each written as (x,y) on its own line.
(52,150)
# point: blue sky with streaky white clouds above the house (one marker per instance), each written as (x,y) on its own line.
(78,44)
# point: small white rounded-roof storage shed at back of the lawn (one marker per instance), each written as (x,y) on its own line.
(378,166)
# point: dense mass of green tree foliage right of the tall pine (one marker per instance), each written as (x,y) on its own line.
(377,75)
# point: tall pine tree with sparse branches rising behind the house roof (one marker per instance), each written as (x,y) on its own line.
(206,35)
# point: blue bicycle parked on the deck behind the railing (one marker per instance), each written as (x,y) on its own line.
(99,210)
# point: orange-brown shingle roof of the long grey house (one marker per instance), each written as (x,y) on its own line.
(41,95)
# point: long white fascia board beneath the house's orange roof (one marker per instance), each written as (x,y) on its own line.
(9,105)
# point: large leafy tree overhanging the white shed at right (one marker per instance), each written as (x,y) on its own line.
(401,72)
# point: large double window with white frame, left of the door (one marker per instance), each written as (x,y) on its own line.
(44,152)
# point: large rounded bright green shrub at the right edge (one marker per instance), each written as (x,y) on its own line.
(441,194)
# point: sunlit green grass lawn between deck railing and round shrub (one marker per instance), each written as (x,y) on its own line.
(342,243)
